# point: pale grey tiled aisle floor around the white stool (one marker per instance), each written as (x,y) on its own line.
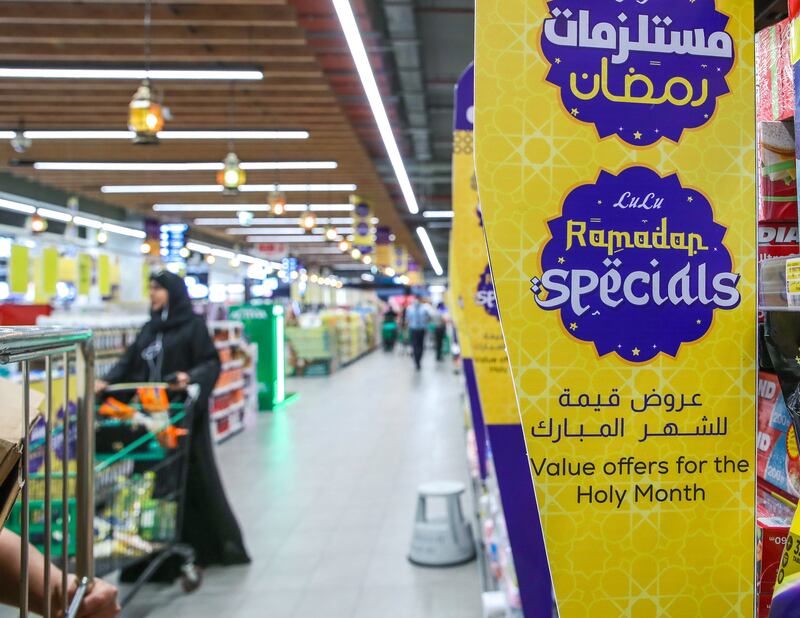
(326,493)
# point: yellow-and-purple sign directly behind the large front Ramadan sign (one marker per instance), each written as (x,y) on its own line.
(493,404)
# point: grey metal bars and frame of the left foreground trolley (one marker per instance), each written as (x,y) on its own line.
(30,346)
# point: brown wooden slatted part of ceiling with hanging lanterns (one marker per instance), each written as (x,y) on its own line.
(309,83)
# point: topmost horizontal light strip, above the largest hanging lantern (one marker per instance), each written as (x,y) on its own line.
(133,74)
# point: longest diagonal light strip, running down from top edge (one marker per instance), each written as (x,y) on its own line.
(350,28)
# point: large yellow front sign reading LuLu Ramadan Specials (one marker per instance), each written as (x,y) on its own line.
(615,164)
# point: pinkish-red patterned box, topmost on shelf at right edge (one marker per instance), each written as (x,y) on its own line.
(774,72)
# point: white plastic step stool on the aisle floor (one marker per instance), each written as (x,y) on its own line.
(441,542)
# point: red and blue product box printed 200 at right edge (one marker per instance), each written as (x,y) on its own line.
(778,456)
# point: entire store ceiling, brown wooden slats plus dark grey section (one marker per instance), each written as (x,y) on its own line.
(418,49)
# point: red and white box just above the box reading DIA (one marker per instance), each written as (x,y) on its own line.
(777,182)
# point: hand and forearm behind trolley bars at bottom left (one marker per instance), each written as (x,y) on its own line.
(99,602)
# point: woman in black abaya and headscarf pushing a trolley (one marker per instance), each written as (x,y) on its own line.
(175,344)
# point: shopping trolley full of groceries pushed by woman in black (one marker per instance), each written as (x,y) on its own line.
(143,443)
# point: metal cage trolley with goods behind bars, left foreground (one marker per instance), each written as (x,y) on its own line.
(45,356)
